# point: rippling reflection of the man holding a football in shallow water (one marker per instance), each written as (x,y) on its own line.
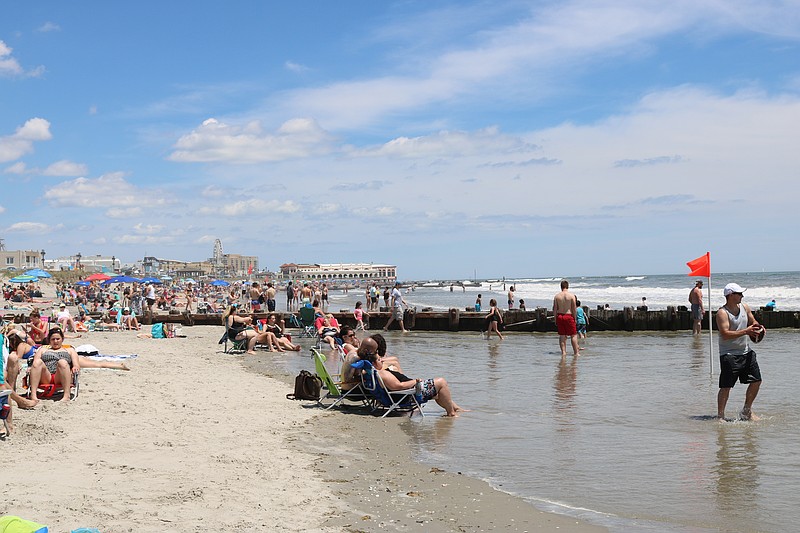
(737,469)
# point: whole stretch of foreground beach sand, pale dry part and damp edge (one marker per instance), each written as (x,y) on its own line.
(192,439)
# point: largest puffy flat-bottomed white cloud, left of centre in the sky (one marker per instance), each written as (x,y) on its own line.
(214,141)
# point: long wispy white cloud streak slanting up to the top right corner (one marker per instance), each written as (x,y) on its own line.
(527,58)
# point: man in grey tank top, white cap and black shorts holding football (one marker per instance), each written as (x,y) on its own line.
(736,324)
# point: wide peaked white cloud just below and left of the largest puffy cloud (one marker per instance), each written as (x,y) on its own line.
(109,190)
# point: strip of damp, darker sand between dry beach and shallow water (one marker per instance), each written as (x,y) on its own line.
(384,486)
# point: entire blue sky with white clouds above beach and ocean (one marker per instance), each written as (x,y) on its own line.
(452,139)
